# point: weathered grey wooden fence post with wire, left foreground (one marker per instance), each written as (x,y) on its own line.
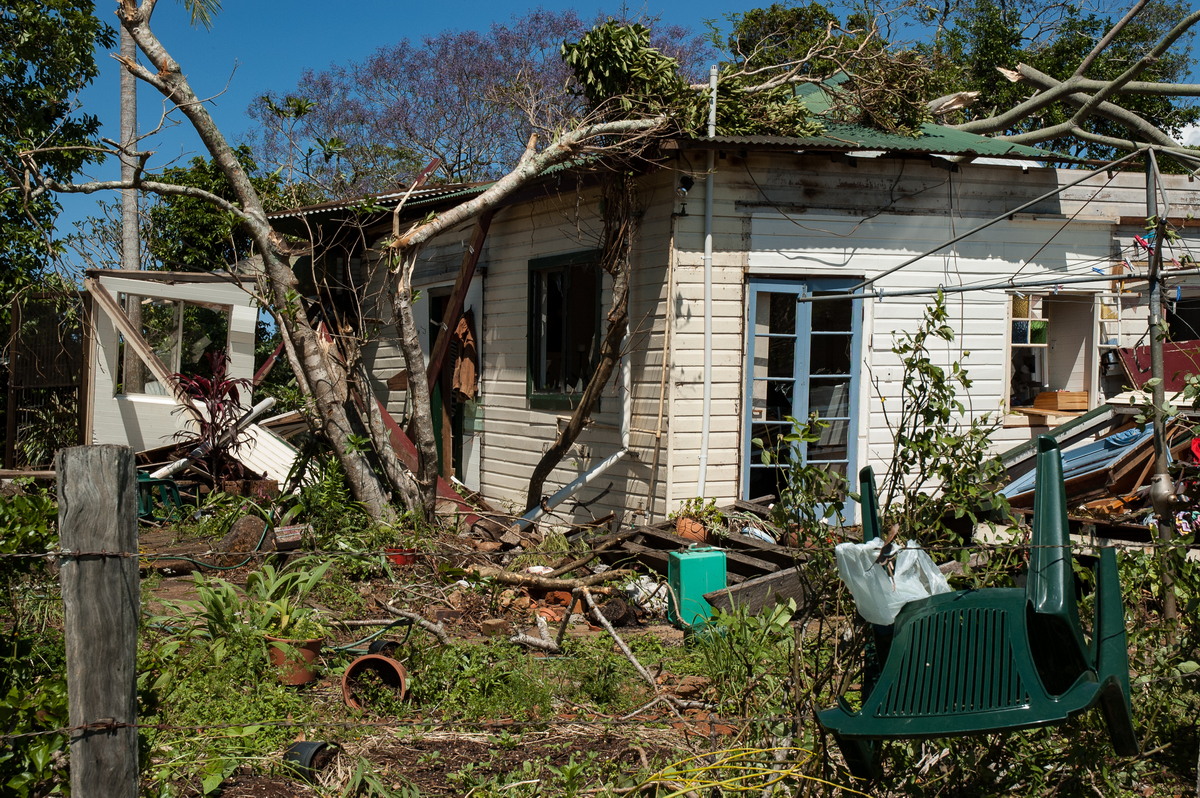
(98,519)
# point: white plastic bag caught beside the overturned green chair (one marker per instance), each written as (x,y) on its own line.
(880,590)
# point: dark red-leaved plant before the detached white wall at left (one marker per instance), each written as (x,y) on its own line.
(213,435)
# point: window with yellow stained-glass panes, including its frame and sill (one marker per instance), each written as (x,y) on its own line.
(1053,346)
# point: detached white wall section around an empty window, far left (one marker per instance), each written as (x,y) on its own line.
(143,421)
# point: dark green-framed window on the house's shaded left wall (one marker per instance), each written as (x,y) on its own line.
(563,328)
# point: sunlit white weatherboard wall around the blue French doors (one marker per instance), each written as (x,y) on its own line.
(813,215)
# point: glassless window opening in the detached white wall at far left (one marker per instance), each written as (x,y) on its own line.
(181,334)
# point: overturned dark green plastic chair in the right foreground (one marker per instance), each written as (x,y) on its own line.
(997,659)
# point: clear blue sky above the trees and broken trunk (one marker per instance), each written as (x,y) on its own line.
(256,46)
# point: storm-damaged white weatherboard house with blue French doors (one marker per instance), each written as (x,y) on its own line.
(729,292)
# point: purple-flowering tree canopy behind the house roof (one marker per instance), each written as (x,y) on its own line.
(471,99)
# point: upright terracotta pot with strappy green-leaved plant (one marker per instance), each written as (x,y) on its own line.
(295,633)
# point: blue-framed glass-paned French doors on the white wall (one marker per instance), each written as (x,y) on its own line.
(802,358)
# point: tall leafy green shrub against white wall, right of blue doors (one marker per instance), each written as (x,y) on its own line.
(943,469)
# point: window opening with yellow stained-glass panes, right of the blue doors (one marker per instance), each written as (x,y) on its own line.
(1052,351)
